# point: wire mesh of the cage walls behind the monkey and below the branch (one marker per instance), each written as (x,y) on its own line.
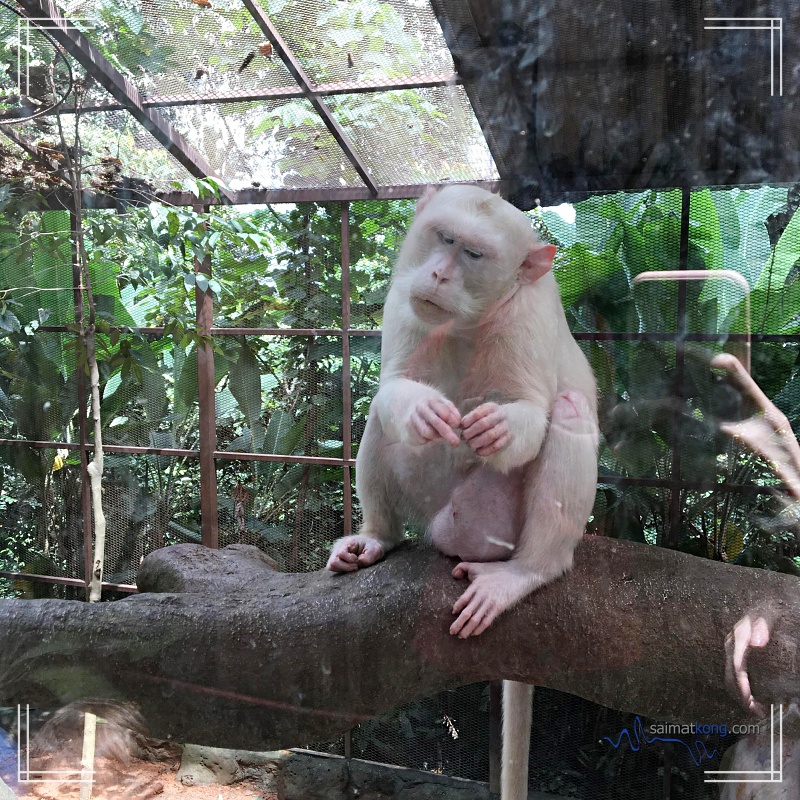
(293,510)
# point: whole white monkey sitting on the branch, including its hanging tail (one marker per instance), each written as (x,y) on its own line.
(484,428)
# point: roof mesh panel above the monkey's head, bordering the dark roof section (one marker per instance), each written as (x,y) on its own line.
(416,135)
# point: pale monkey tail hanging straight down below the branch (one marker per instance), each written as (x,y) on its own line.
(517,706)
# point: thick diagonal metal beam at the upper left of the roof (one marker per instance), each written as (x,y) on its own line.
(96,64)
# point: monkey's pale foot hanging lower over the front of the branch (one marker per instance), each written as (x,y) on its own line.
(495,586)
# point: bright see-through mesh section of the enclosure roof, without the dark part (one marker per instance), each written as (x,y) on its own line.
(280,99)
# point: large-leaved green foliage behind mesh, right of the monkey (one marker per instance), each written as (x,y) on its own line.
(613,239)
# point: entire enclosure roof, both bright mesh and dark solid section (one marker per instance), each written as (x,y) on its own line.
(336,99)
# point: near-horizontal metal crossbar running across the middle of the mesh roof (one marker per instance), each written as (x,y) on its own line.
(257,95)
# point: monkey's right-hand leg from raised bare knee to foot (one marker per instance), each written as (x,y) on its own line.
(559,494)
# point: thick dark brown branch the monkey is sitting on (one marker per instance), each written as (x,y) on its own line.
(243,656)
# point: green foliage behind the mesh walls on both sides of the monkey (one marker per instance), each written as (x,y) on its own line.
(280,267)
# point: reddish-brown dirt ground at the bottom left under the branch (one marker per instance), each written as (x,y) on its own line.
(141,780)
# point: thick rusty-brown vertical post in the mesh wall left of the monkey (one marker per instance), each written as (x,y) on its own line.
(204,301)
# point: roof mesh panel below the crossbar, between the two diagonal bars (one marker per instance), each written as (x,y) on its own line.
(271,143)
